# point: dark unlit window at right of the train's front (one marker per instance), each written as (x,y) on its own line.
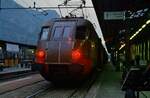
(81,32)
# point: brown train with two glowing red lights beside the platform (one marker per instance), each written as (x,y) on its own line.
(68,49)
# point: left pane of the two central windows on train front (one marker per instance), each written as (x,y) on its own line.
(57,32)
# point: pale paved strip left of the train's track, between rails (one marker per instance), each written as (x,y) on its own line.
(16,84)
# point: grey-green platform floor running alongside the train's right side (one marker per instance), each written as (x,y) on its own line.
(107,84)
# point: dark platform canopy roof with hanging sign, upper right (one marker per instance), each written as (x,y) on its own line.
(118,17)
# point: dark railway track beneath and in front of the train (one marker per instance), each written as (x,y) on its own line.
(58,92)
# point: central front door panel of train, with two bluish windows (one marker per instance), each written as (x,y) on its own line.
(61,42)
